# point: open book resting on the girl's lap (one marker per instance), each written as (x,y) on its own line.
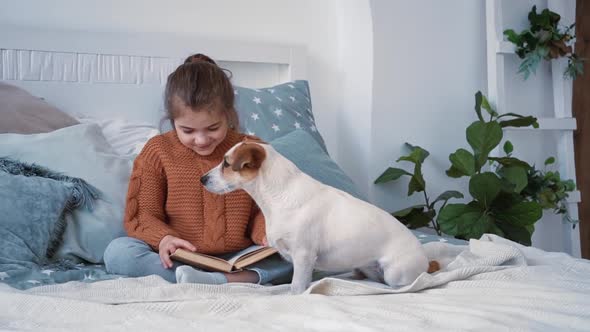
(236,262)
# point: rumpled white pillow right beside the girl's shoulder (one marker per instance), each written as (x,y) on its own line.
(126,138)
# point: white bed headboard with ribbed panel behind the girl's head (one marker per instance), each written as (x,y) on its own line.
(117,75)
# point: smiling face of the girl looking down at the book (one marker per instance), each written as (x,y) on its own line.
(201,130)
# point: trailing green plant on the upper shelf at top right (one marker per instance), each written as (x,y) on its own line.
(545,41)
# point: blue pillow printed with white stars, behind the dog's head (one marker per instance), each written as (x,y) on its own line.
(273,112)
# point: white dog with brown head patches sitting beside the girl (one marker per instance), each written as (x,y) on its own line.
(317,226)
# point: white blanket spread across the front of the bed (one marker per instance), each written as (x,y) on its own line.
(492,284)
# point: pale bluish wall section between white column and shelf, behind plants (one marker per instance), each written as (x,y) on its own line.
(429,59)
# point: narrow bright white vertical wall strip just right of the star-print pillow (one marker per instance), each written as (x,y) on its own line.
(355,94)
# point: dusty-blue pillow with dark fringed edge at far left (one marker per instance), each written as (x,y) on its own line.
(32,222)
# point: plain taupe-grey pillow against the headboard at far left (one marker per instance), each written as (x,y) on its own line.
(23,113)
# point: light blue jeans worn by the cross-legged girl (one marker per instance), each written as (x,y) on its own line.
(135,258)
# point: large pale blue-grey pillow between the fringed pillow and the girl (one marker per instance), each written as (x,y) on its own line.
(80,151)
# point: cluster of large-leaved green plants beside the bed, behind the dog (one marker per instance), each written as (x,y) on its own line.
(508,195)
